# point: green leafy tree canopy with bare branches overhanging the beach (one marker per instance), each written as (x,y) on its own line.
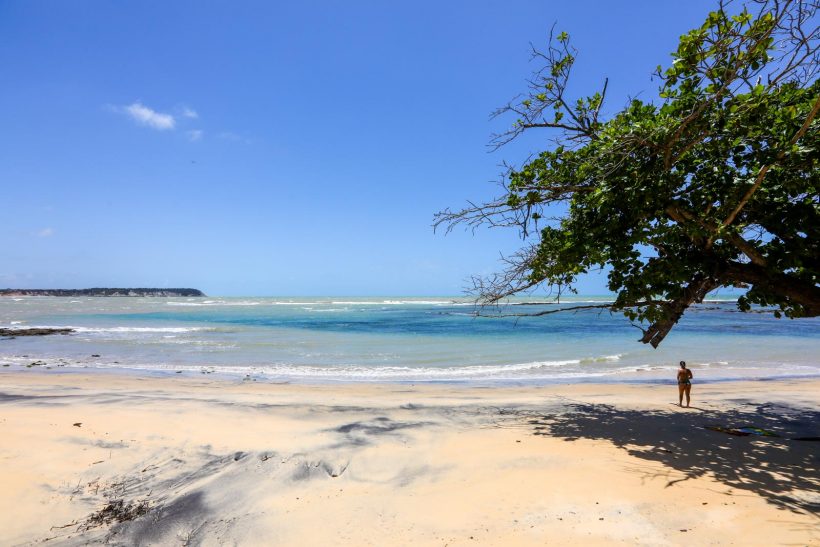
(714,183)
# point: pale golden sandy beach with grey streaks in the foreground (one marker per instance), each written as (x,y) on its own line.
(187,461)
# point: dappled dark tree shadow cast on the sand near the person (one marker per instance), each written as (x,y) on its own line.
(781,469)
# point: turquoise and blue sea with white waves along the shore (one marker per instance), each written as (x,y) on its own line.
(400,339)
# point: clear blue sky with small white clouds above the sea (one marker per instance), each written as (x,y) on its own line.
(291,148)
